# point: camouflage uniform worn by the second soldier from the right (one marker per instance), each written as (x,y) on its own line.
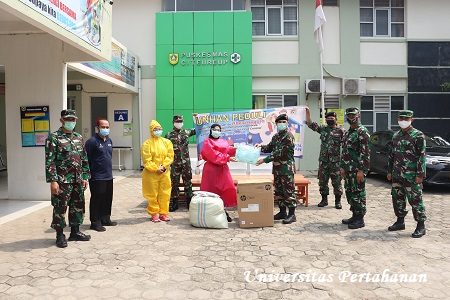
(355,157)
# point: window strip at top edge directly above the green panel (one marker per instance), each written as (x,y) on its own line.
(203,5)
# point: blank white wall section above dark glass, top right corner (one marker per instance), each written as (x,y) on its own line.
(427,20)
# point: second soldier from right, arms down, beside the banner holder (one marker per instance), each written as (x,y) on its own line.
(355,163)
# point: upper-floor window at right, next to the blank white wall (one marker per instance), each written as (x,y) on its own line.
(382,18)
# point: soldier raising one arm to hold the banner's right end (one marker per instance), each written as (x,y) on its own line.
(330,154)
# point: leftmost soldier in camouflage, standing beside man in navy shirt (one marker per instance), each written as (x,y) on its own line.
(67,171)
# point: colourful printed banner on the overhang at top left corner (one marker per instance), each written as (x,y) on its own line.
(81,18)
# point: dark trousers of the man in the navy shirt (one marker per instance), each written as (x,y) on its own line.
(101,200)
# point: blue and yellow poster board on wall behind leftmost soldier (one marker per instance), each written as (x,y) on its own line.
(35,125)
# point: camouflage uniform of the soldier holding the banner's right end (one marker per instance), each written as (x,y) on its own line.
(329,158)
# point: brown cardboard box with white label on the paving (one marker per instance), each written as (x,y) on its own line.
(255,204)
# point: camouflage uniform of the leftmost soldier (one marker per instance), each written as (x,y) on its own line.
(66,163)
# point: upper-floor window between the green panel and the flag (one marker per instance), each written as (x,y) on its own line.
(274,17)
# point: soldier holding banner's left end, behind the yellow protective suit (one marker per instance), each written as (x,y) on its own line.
(181,166)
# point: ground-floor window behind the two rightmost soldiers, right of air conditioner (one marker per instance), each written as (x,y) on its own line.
(381,112)
